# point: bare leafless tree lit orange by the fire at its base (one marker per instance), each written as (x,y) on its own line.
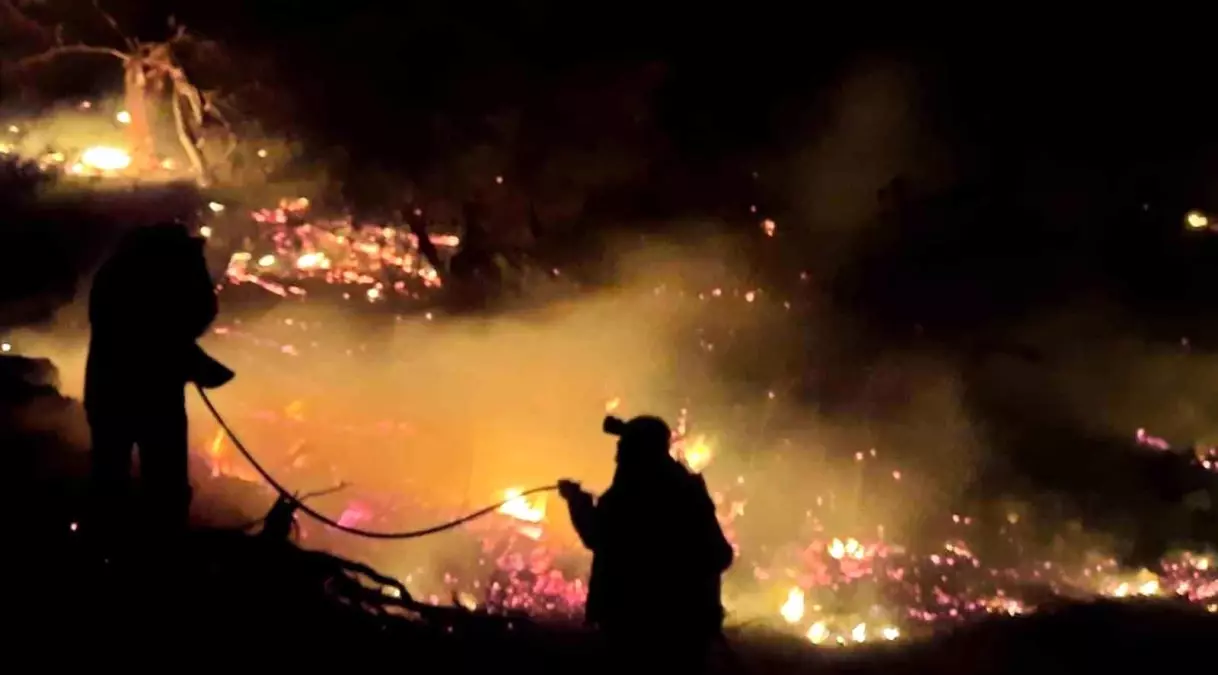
(150,70)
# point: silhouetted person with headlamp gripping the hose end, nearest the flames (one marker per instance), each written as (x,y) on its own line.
(658,550)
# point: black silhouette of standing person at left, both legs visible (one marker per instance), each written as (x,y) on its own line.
(149,305)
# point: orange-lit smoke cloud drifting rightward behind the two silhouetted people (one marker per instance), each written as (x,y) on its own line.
(784,378)
